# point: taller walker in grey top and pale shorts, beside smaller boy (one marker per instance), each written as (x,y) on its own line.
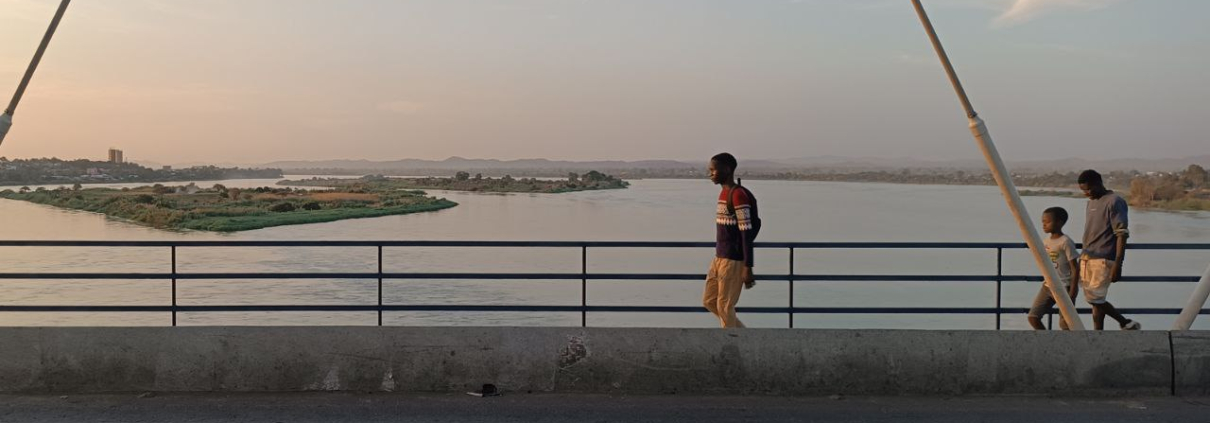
(1105,248)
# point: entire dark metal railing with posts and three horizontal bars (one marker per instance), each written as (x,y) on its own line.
(584,276)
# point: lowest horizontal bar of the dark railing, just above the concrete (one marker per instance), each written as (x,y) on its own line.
(558,309)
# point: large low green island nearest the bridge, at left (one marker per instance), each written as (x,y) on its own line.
(224,210)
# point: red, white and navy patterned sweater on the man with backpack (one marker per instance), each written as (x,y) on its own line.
(735,235)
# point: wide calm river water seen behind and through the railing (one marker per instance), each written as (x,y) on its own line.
(649,211)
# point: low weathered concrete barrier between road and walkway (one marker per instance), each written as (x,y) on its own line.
(777,362)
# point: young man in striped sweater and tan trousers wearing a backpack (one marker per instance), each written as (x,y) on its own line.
(736,225)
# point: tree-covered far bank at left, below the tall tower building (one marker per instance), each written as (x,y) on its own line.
(55,171)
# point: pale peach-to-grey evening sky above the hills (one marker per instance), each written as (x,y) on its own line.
(252,82)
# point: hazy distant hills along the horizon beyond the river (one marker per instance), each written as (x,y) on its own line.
(786,165)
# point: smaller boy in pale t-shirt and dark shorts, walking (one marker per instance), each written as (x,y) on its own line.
(1063,254)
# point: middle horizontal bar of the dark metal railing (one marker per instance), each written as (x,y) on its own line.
(566,277)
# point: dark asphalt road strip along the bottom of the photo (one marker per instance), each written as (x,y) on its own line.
(569,408)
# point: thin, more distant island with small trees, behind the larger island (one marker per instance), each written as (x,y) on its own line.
(464,182)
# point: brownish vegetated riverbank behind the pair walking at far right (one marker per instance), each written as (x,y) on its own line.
(1183,192)
